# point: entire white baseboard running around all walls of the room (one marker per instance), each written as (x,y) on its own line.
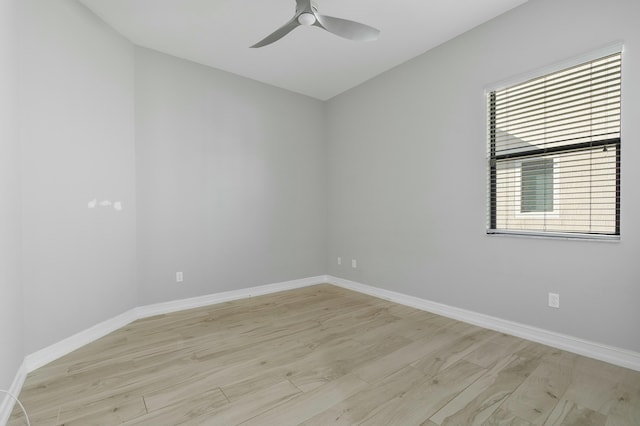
(610,354)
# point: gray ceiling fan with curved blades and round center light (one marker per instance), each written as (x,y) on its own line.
(307,14)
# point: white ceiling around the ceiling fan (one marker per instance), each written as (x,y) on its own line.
(308,60)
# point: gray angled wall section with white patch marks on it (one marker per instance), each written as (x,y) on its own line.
(77,139)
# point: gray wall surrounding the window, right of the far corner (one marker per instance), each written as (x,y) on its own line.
(407,179)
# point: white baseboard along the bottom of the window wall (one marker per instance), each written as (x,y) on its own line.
(602,352)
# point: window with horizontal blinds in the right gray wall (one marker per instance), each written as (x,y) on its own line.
(554,153)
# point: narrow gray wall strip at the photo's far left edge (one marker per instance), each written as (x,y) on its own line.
(11,326)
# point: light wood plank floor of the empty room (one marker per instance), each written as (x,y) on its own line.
(318,356)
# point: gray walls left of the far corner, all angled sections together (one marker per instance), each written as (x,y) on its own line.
(231,177)
